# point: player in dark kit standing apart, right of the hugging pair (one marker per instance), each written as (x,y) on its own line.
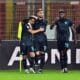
(63,34)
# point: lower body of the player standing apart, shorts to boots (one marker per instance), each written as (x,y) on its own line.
(63,55)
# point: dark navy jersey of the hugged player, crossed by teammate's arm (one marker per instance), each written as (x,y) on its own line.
(40,23)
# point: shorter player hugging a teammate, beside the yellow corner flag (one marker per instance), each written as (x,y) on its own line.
(26,44)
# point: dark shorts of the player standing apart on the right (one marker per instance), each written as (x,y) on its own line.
(63,45)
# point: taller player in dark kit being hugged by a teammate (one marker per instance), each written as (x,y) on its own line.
(40,39)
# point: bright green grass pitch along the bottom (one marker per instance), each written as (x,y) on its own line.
(46,75)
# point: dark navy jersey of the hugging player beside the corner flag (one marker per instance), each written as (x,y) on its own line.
(25,31)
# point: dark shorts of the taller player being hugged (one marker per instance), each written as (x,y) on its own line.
(40,45)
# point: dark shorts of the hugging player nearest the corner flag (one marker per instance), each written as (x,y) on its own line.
(26,46)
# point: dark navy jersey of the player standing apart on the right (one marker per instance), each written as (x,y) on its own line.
(63,29)
